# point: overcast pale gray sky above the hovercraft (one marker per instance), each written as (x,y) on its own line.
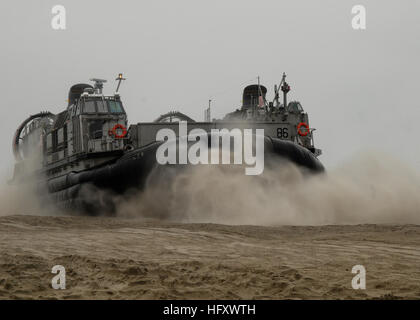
(360,88)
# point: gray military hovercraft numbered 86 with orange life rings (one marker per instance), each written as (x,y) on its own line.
(90,144)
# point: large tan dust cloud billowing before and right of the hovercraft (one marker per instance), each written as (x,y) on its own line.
(370,188)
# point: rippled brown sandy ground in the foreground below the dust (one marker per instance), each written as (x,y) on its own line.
(132,259)
